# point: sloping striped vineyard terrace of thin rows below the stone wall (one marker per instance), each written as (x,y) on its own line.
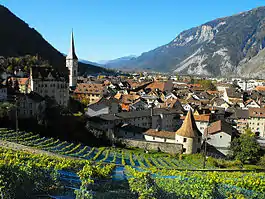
(102,154)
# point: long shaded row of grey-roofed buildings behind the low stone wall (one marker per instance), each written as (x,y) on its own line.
(157,118)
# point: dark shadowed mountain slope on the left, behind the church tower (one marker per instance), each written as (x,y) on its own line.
(18,39)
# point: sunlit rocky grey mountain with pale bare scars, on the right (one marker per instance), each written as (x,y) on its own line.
(220,47)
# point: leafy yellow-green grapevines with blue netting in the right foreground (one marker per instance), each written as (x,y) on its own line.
(197,185)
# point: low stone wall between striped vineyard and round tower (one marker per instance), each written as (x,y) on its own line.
(155,146)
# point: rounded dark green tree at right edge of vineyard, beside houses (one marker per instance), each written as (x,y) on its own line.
(245,148)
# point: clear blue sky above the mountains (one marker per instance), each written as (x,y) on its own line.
(108,29)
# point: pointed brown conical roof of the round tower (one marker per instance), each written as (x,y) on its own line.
(189,128)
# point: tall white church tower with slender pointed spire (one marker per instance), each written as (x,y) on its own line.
(72,63)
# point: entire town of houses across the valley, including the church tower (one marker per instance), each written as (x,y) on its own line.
(147,107)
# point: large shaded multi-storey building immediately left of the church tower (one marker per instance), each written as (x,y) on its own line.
(46,81)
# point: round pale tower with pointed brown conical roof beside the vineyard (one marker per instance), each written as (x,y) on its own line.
(189,135)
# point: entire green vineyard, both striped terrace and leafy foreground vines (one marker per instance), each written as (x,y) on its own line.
(108,172)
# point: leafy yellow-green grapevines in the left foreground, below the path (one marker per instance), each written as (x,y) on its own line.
(25,175)
